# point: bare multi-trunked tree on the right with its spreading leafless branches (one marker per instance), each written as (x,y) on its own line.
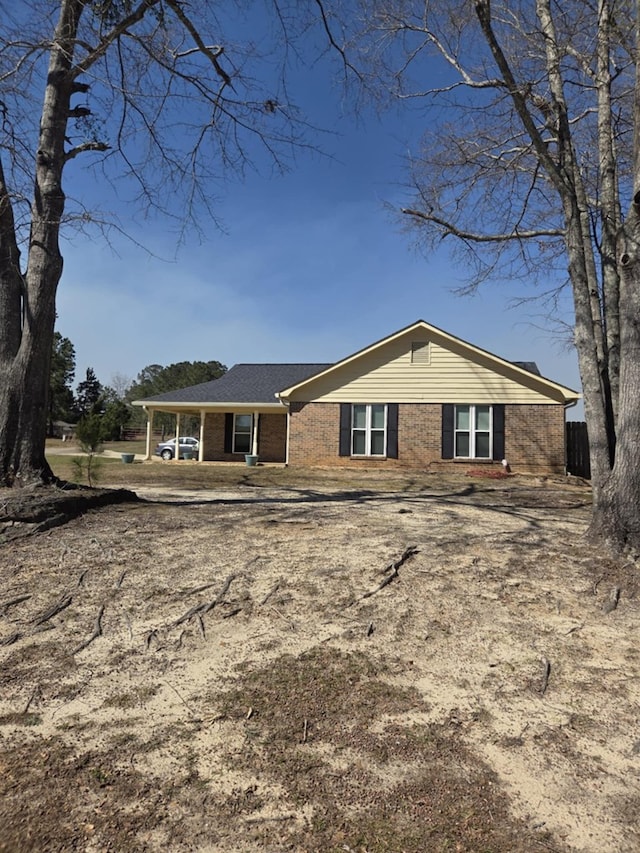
(531,156)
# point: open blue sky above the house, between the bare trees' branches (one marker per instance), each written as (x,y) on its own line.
(311,266)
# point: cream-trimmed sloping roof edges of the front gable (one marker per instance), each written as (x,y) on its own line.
(520,370)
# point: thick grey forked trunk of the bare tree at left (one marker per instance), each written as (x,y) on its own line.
(29,300)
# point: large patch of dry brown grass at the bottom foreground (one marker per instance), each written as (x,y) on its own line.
(410,788)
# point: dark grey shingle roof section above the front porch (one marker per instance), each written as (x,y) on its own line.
(243,383)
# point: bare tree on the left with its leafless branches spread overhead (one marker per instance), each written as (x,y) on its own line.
(163,96)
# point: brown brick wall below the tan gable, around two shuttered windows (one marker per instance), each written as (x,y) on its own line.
(534,437)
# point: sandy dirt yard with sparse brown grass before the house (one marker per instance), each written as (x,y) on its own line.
(443,667)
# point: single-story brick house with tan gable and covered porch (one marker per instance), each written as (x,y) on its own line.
(418,397)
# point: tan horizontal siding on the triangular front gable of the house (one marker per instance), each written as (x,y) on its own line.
(387,375)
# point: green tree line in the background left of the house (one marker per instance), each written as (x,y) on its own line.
(104,411)
